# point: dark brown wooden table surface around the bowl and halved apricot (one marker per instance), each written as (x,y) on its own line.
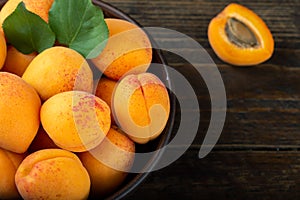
(258,153)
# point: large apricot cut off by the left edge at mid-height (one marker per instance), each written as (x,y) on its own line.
(19,107)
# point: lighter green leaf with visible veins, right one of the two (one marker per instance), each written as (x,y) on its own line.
(79,25)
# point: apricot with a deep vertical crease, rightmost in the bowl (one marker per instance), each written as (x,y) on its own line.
(125,106)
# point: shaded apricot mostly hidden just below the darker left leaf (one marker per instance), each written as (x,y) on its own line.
(17,62)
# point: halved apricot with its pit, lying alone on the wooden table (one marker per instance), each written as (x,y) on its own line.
(240,37)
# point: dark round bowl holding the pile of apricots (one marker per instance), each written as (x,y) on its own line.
(133,180)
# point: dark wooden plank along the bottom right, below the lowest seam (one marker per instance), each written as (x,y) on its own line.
(226,175)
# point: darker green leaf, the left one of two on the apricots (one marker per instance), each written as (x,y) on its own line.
(27,31)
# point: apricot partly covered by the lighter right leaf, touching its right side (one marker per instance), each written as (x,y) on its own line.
(128,49)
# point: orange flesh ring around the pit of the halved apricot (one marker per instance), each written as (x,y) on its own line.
(229,52)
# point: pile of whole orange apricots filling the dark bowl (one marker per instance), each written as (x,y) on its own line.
(56,116)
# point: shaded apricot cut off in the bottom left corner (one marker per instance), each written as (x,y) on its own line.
(9,162)
